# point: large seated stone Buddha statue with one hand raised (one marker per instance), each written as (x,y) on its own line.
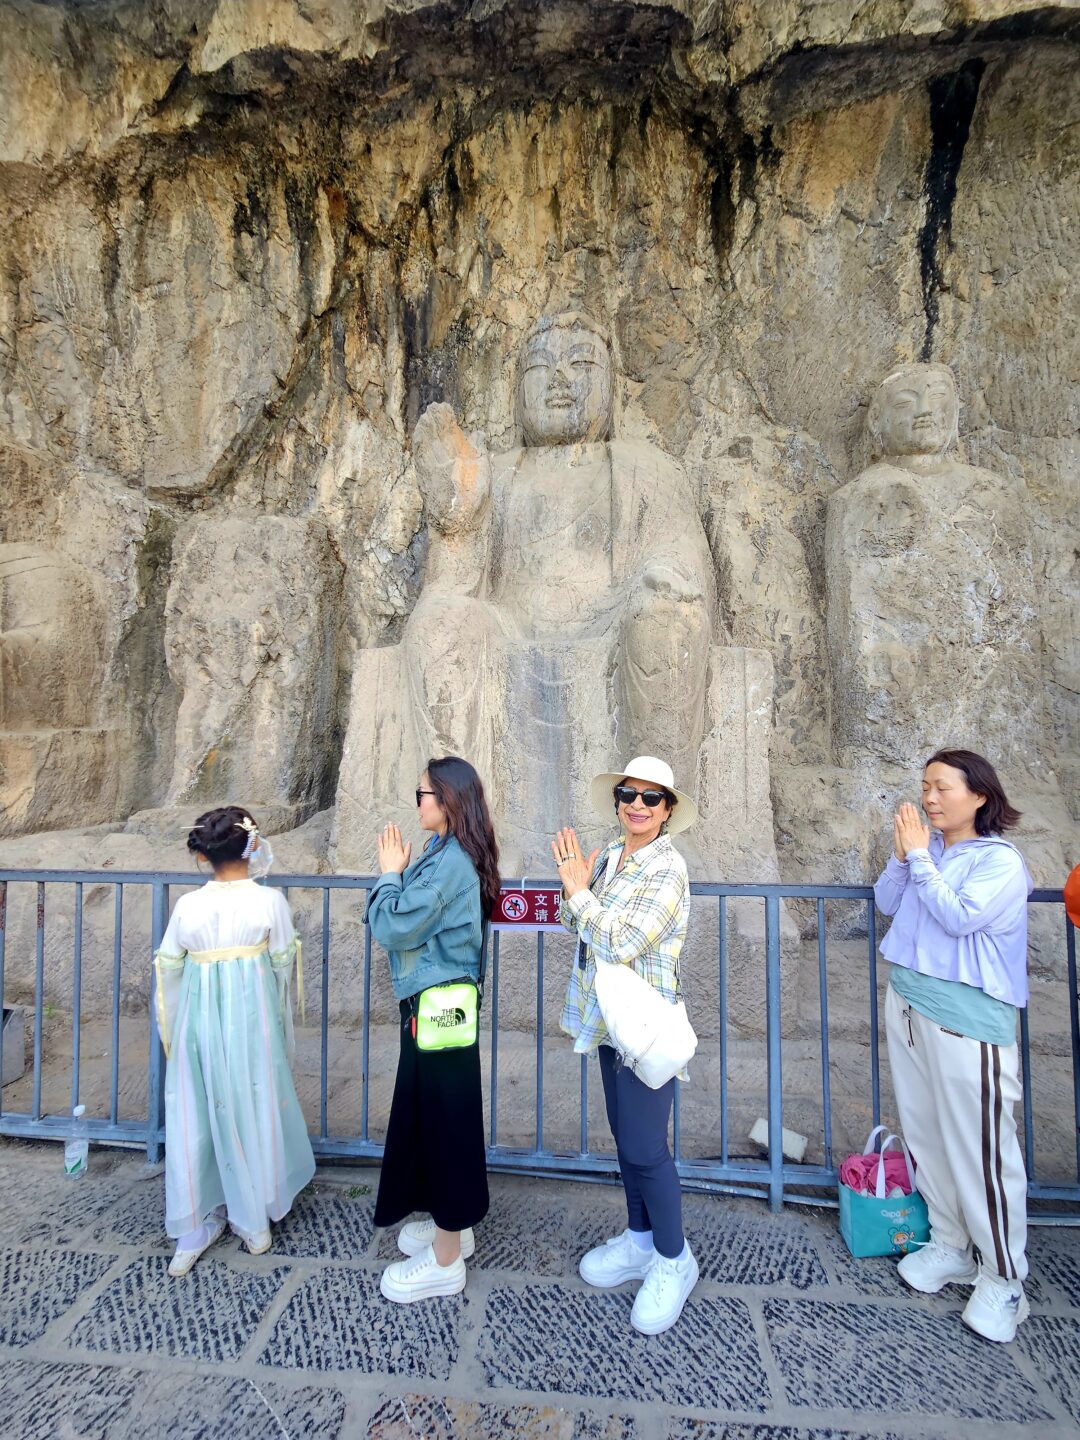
(570,598)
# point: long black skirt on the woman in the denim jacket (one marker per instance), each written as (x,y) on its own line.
(436,1160)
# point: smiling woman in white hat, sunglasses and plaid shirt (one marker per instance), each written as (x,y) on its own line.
(630,905)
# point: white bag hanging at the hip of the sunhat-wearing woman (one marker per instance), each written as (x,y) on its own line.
(653,1035)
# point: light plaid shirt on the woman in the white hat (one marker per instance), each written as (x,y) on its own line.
(639,918)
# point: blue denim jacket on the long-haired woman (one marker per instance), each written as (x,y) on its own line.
(428,919)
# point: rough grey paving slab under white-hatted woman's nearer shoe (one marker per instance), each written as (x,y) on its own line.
(581,1343)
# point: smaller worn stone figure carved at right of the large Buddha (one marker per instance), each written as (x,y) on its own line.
(932,610)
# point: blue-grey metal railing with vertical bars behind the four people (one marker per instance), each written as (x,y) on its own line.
(770,1179)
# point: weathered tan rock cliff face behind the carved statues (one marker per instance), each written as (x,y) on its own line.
(251,241)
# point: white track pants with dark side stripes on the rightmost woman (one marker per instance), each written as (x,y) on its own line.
(957,1099)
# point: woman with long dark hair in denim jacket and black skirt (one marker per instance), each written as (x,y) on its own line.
(430,917)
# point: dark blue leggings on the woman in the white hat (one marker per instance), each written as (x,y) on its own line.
(639,1121)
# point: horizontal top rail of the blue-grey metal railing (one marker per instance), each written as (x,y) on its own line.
(354,882)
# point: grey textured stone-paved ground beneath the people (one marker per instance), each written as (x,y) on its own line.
(786,1338)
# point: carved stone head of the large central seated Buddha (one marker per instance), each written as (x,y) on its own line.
(565,382)
